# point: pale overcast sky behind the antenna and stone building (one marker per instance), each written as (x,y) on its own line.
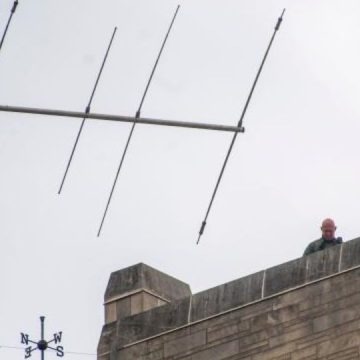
(297,163)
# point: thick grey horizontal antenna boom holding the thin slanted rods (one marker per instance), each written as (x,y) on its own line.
(124,119)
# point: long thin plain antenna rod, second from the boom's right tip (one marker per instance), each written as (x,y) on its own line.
(137,116)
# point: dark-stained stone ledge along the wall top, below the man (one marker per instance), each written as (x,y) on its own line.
(233,295)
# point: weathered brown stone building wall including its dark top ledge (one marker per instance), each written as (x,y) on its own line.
(308,308)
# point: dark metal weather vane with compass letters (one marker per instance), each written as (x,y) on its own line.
(42,344)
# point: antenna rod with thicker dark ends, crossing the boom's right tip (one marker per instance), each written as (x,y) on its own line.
(240,124)
